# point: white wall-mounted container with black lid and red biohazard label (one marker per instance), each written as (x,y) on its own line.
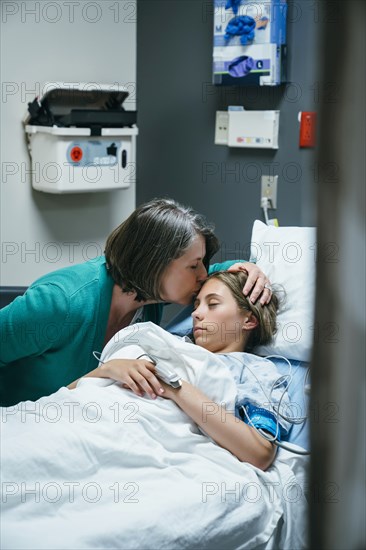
(81,139)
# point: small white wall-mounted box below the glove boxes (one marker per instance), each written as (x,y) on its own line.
(253,129)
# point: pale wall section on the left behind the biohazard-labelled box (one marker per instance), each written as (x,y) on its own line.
(89,43)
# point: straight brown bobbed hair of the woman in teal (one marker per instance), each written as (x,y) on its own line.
(156,233)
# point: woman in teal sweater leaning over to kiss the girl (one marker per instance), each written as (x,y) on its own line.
(159,254)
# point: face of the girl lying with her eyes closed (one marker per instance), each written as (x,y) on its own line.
(217,320)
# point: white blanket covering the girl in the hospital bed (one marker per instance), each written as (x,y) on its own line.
(99,467)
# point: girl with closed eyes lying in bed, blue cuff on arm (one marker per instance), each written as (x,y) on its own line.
(224,322)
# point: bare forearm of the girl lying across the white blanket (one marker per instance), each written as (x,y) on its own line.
(228,431)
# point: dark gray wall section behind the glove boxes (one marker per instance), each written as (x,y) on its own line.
(176,105)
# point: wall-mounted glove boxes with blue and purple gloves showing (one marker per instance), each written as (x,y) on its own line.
(249,42)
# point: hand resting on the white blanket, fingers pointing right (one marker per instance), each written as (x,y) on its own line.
(136,374)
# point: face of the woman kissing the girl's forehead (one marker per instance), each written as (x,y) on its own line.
(183,277)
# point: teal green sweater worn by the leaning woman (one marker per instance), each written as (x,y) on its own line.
(48,335)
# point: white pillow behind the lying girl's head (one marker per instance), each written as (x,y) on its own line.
(287,255)
